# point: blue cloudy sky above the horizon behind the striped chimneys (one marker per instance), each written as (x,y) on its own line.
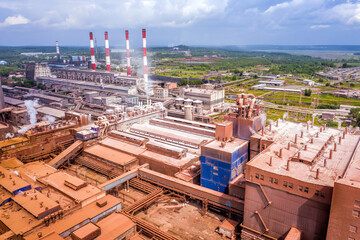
(172,22)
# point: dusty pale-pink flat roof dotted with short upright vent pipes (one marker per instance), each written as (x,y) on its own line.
(311,159)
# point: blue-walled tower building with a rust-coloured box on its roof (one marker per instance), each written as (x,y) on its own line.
(223,159)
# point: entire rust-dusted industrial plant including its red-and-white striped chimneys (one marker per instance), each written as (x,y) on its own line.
(100,154)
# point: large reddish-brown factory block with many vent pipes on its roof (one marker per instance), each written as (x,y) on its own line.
(295,180)
